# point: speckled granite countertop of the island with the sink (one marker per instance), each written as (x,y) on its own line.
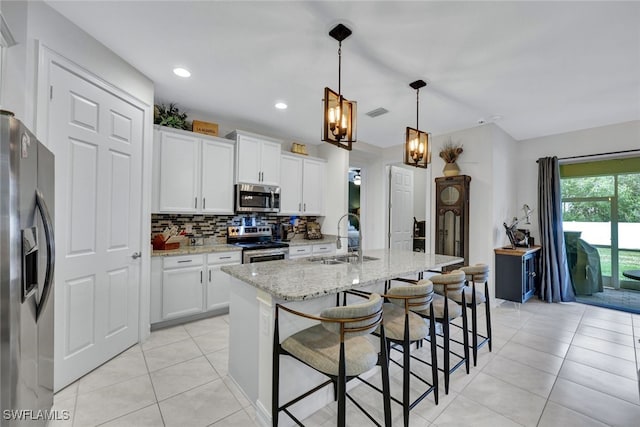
(302,279)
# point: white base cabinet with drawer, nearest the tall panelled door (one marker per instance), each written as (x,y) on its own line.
(182,286)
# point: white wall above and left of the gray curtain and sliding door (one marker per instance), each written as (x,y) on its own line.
(618,137)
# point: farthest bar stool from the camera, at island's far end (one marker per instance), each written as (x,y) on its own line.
(478,273)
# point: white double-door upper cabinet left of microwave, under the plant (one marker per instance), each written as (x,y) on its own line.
(192,173)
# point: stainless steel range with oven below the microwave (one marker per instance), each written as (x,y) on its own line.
(257,243)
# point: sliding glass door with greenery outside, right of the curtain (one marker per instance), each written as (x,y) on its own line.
(601,221)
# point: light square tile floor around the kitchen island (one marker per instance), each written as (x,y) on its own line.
(551,365)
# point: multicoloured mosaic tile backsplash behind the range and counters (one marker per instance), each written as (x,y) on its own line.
(215,226)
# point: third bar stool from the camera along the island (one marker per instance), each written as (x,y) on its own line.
(445,311)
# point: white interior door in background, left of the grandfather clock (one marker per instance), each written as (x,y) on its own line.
(401,208)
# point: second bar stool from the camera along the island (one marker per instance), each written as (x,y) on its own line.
(403,328)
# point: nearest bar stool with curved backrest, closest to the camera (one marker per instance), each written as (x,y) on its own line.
(336,347)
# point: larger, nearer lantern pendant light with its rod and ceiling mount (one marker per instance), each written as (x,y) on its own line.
(339,114)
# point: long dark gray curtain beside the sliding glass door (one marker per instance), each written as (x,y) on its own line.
(555,284)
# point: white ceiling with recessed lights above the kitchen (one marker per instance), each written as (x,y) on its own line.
(545,67)
